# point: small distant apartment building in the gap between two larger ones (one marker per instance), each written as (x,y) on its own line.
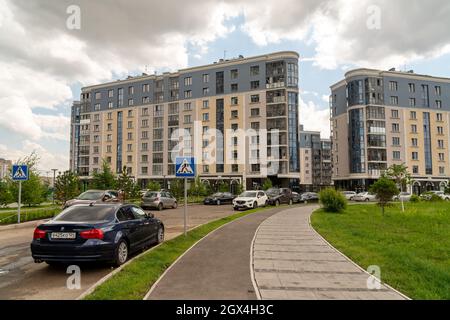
(315,159)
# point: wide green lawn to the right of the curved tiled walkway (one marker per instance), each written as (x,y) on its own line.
(412,248)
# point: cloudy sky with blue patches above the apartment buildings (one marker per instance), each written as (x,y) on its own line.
(44,63)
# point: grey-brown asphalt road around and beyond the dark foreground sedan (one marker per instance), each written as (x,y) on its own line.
(21,278)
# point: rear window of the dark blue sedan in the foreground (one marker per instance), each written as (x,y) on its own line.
(86,214)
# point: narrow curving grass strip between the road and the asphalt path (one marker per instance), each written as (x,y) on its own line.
(135,280)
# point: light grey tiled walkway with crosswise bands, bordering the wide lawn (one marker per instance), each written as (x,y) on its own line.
(291,261)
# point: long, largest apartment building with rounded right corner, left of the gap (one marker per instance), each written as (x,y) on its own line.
(239,117)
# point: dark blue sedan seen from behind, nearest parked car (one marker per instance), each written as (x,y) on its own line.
(95,232)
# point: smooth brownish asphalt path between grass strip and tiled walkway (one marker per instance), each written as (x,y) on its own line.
(217,268)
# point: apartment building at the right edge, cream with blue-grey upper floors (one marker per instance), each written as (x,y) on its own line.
(380,118)
